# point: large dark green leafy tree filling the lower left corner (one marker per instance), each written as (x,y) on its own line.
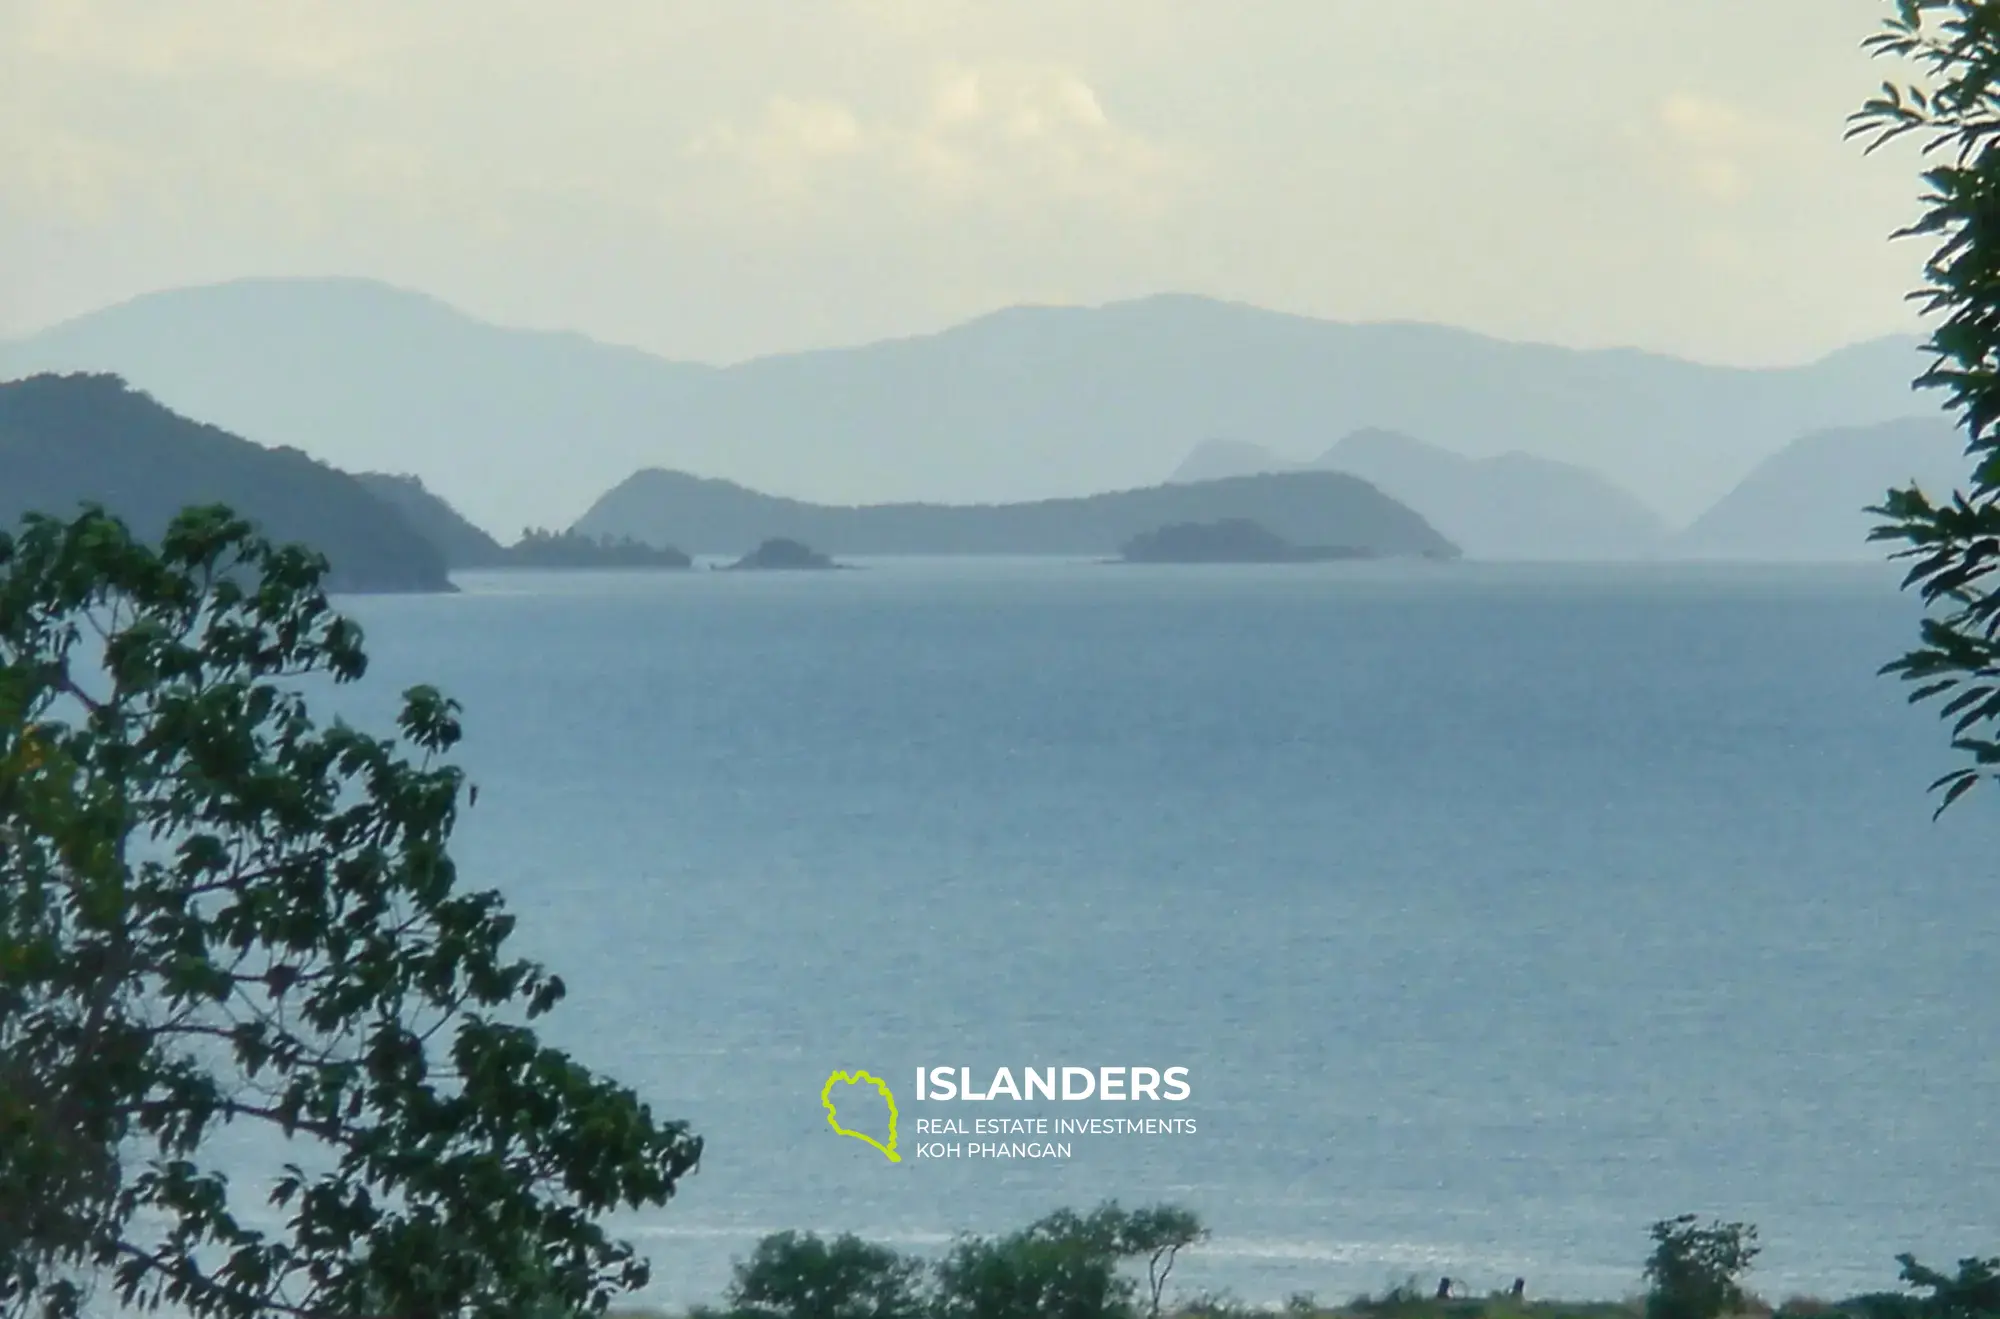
(217,910)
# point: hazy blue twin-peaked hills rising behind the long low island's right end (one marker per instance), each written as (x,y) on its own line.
(1513,507)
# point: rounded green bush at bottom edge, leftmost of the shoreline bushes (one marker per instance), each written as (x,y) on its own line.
(799,1276)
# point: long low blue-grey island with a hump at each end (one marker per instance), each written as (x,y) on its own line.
(1307,509)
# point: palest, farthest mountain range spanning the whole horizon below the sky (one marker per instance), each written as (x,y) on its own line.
(1031,403)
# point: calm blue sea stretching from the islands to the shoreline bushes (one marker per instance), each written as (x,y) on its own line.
(1495,910)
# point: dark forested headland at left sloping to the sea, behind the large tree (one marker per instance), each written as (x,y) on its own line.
(67,441)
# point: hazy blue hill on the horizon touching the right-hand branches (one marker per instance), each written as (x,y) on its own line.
(1805,503)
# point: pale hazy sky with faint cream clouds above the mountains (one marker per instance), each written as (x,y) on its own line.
(719,179)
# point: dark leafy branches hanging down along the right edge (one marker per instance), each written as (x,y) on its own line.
(1947,97)
